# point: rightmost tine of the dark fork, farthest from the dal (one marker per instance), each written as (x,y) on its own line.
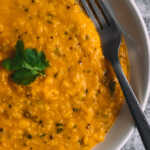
(105,11)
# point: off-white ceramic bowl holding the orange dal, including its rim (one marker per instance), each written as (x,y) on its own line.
(131,23)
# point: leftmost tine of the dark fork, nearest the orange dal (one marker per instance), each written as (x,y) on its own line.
(88,10)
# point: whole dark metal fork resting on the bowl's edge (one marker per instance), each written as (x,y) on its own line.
(111,39)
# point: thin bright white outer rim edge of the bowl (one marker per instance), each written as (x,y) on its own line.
(137,13)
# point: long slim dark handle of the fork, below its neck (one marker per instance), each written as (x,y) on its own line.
(134,106)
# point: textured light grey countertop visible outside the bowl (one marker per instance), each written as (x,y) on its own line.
(134,142)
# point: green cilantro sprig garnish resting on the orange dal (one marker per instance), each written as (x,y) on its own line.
(26,65)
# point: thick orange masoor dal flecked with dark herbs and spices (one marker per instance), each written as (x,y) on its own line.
(75,104)
